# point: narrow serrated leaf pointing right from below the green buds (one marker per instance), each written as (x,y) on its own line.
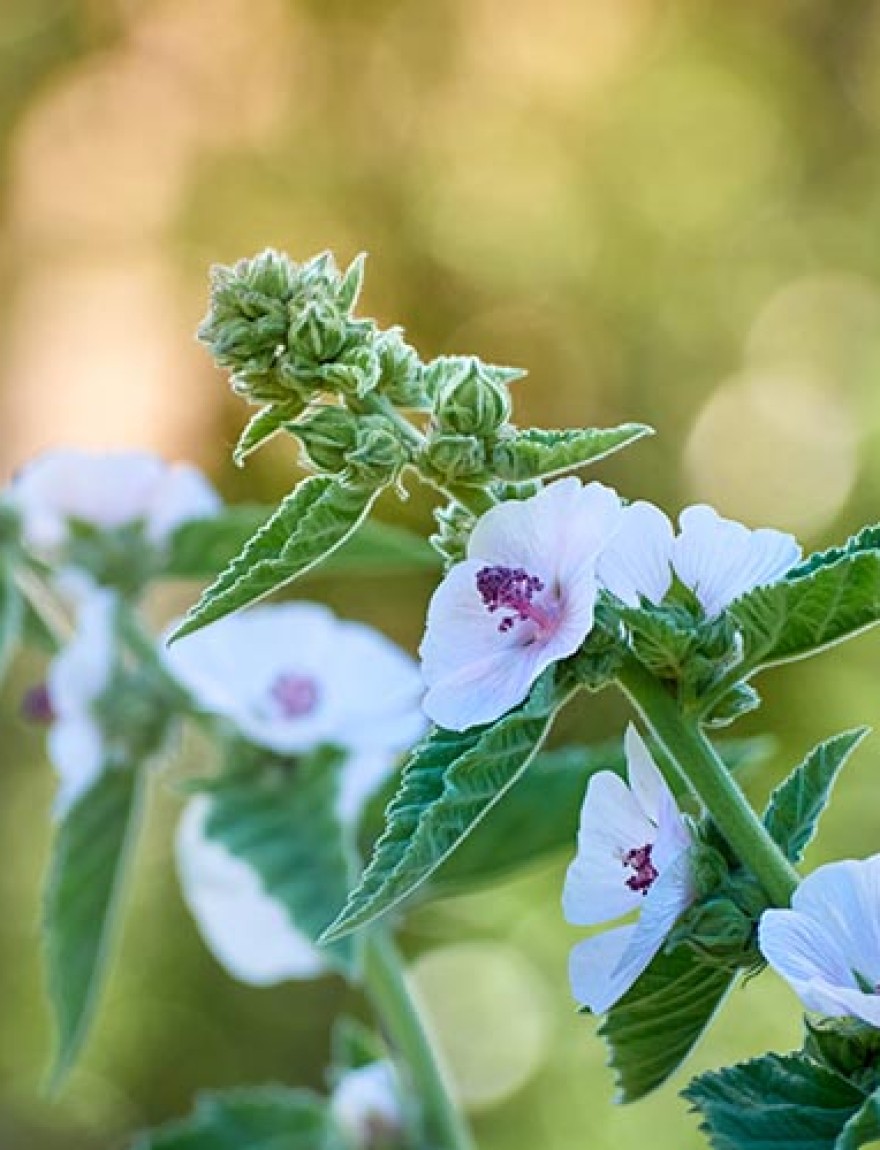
(537,454)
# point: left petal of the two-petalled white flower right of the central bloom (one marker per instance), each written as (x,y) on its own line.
(637,564)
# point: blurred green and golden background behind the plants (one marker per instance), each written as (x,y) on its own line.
(668,212)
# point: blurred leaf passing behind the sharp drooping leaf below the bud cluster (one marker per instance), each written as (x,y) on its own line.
(205,547)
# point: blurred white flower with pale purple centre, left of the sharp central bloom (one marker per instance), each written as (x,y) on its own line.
(292,678)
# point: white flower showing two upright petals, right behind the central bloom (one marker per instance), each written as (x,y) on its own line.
(717,558)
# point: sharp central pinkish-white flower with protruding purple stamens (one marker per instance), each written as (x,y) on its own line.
(523,600)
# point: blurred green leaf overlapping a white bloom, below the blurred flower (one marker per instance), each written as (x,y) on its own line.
(282,822)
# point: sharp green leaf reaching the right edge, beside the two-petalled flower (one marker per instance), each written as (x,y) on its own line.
(836,599)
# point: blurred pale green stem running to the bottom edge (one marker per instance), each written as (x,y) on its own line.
(400,1014)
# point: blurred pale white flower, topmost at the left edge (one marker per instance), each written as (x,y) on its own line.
(108,490)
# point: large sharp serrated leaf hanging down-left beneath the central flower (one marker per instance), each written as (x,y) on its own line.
(449,786)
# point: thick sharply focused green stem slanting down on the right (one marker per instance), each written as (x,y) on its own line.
(711,781)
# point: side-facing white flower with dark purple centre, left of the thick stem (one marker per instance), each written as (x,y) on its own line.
(633,855)
